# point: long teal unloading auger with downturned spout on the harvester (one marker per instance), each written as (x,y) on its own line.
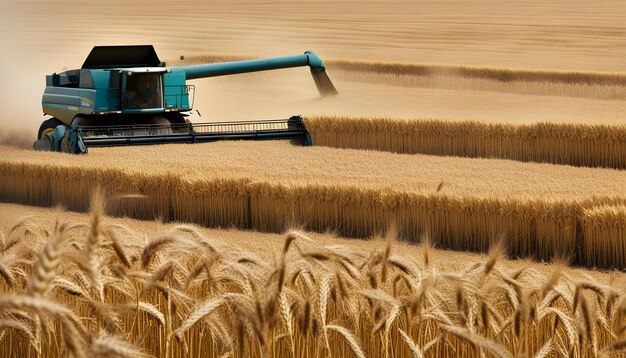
(309,58)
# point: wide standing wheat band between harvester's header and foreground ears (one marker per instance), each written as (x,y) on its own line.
(539,208)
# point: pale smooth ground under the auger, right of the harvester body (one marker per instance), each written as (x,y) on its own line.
(293,92)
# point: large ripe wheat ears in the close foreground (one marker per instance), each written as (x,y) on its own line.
(97,287)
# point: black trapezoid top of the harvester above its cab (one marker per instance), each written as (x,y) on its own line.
(106,57)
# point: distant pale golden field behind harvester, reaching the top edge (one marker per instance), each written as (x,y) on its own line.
(572,35)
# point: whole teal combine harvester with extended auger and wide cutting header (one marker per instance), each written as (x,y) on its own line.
(123,95)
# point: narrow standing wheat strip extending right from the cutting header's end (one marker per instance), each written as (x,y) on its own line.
(592,145)
